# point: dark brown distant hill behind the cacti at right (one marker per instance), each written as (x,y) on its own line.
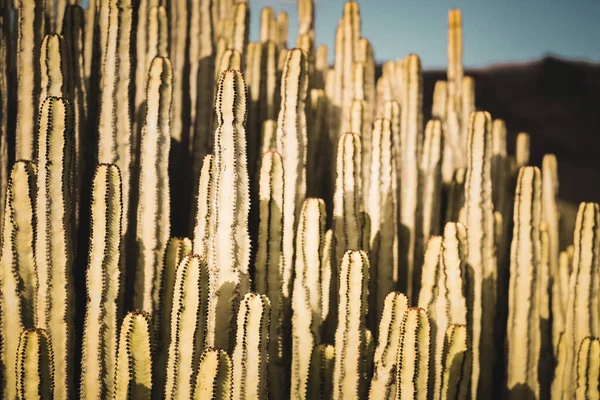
(557,102)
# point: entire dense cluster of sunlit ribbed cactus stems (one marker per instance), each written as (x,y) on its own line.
(189,214)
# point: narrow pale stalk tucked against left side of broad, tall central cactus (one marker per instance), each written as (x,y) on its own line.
(203,228)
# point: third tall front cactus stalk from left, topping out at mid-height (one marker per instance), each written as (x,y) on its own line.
(103,284)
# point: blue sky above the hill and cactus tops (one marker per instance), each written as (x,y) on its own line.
(494,30)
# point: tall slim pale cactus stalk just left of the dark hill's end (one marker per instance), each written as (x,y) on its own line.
(411,142)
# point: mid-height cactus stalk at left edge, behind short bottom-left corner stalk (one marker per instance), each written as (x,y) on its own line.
(17,269)
